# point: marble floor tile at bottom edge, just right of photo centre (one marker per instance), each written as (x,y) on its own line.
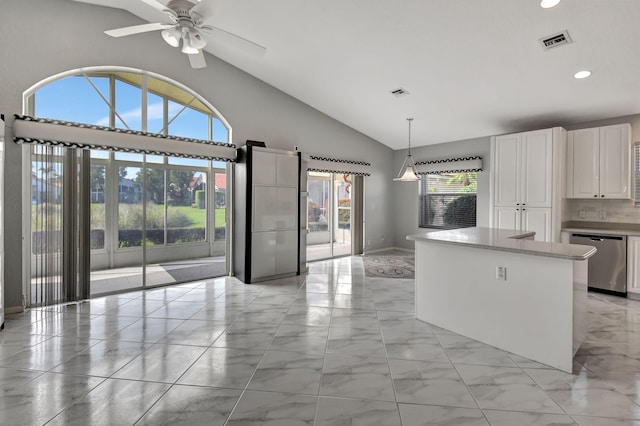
(340,412)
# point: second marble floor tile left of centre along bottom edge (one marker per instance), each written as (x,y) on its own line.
(192,405)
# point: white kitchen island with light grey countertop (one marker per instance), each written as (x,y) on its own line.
(501,288)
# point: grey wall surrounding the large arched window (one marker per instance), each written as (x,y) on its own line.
(64,35)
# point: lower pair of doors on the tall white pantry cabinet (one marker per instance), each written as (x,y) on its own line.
(535,219)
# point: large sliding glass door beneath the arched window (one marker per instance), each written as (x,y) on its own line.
(151,221)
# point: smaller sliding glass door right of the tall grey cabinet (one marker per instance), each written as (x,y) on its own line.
(329,215)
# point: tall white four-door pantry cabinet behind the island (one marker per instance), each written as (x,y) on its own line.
(526,188)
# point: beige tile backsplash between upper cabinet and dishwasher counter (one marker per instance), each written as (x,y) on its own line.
(620,211)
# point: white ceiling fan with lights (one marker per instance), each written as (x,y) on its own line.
(187,25)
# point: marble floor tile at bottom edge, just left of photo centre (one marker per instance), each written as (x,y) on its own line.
(257,408)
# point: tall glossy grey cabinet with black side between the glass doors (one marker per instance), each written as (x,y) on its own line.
(266,214)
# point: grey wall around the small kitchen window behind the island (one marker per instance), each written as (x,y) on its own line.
(405,194)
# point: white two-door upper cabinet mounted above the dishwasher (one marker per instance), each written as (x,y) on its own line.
(599,162)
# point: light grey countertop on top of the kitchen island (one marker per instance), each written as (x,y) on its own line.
(506,240)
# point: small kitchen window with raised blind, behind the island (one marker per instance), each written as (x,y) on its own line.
(447,200)
